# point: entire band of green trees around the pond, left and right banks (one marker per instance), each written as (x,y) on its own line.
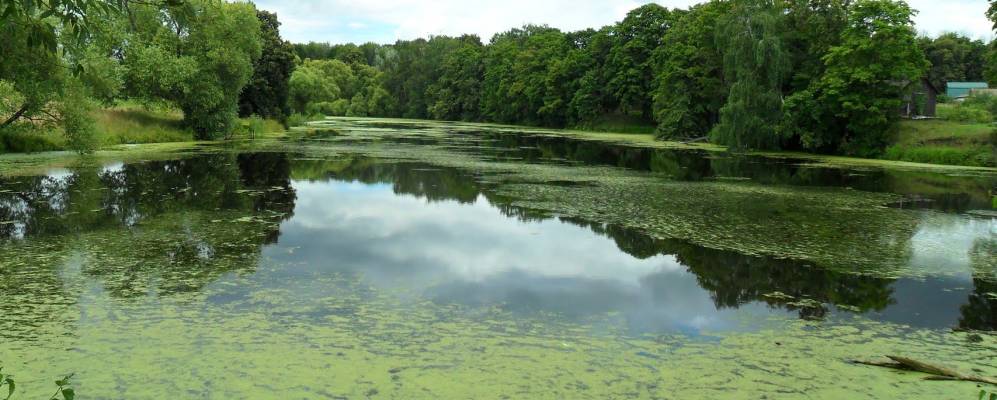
(816,75)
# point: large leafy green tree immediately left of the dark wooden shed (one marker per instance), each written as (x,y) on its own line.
(853,106)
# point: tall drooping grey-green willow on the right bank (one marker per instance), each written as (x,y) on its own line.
(755,65)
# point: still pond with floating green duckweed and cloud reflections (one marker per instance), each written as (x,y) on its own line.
(404,259)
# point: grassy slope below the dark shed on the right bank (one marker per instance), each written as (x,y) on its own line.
(944,142)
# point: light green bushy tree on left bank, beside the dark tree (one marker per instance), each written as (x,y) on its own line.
(197,55)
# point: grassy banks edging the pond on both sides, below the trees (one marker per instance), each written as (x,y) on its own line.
(929,144)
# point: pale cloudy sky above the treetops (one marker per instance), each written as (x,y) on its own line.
(385,21)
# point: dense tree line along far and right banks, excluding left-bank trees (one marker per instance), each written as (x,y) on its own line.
(817,75)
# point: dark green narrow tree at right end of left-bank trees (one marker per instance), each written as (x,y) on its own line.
(266,94)
